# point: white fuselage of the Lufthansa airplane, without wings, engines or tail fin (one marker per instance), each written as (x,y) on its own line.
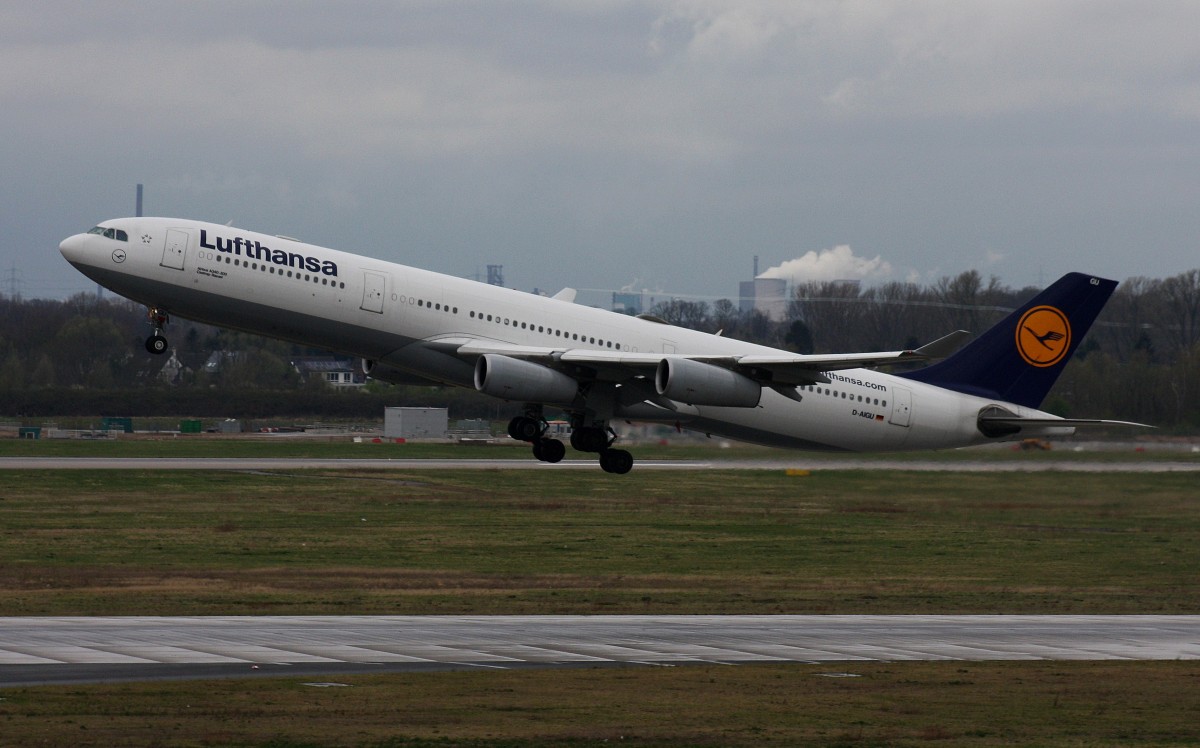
(389,314)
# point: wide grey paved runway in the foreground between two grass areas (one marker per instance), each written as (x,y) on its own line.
(68,650)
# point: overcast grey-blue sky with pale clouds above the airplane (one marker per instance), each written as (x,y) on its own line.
(607,145)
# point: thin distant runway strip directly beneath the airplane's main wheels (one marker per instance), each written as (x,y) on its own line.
(815,464)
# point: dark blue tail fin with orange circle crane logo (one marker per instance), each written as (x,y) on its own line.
(1019,360)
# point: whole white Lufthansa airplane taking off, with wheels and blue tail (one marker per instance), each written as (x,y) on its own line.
(416,327)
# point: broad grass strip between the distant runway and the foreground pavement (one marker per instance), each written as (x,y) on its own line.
(497,542)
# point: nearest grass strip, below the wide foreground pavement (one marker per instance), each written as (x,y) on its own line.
(860,704)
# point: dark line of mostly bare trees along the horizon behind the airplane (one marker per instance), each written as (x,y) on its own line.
(85,356)
